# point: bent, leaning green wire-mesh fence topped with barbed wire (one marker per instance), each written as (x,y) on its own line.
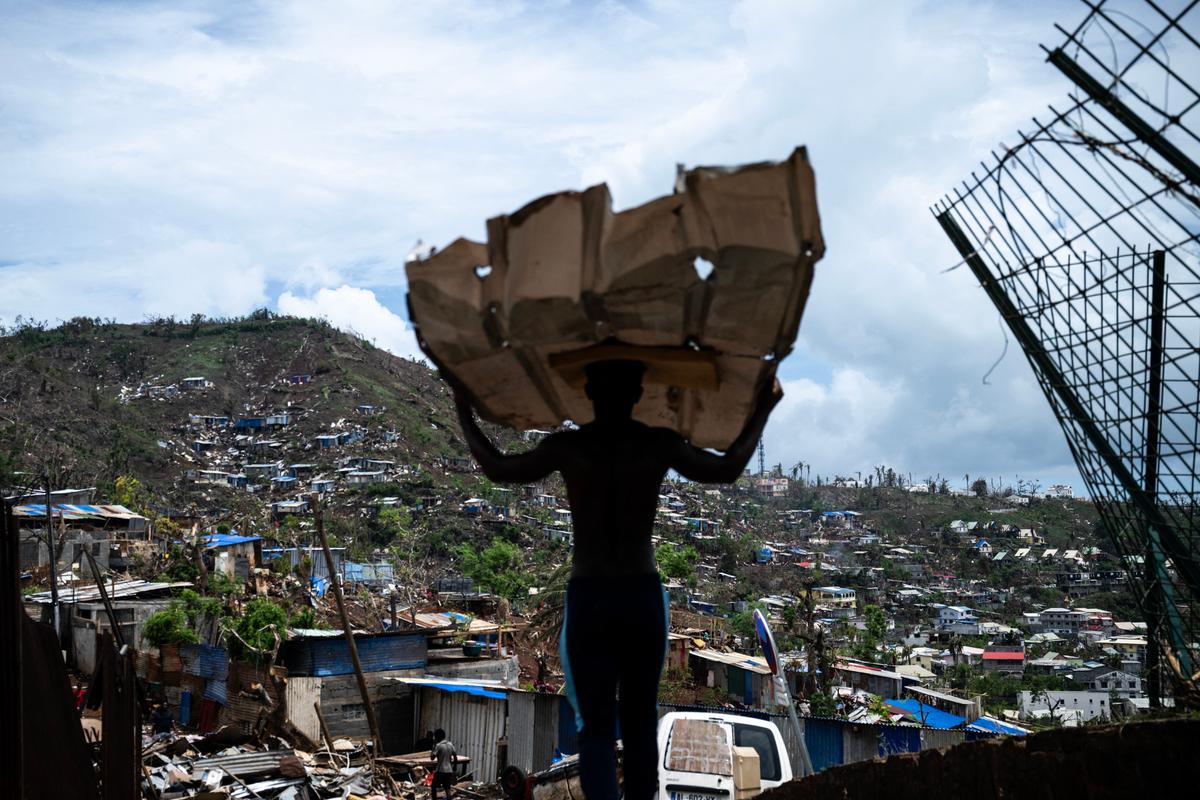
(1085,234)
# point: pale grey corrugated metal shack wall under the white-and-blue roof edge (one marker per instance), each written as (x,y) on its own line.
(473,724)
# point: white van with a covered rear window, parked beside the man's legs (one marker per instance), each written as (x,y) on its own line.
(698,753)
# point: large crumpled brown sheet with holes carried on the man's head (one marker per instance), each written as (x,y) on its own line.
(565,281)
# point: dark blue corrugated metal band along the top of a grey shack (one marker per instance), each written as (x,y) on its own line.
(332,657)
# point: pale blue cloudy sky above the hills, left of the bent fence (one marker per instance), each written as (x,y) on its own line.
(217,158)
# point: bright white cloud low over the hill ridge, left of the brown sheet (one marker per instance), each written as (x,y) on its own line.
(357,311)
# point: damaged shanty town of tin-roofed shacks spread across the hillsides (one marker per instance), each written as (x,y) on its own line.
(201,629)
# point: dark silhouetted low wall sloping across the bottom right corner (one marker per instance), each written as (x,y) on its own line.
(1143,760)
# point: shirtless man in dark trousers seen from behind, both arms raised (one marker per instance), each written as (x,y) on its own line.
(616,619)
